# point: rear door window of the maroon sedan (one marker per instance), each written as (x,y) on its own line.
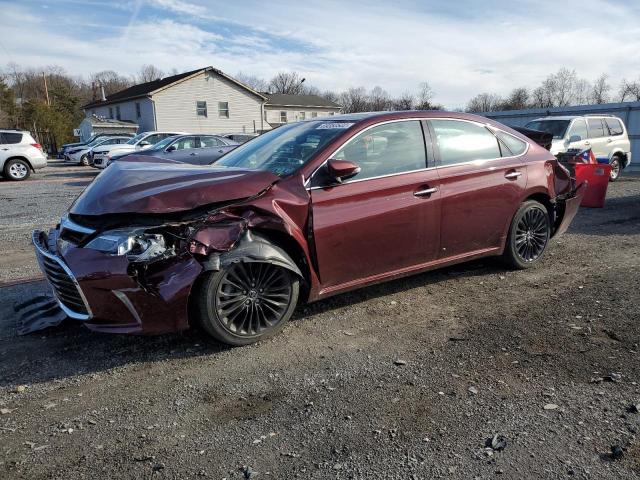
(461,141)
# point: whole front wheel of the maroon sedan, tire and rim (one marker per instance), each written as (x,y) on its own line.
(246,302)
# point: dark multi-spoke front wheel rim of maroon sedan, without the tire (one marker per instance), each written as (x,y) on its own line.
(253,298)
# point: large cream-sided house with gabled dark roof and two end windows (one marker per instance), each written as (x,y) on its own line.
(200,101)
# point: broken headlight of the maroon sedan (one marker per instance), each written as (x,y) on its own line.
(136,245)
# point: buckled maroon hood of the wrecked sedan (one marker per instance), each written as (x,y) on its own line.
(150,187)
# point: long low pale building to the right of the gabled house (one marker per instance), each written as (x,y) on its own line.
(281,108)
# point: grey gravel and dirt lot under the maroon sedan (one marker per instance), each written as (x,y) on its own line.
(402,380)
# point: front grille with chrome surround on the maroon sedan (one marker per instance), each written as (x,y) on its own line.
(65,286)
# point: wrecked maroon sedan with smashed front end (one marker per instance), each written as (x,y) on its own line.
(303,212)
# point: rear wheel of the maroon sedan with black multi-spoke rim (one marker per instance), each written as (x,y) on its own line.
(529,235)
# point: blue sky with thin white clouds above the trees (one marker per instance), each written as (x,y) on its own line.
(460,47)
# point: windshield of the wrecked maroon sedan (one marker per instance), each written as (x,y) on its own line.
(285,149)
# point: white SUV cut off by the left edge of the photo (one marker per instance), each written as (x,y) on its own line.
(20,154)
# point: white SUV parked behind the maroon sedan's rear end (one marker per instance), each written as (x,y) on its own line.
(606,135)
